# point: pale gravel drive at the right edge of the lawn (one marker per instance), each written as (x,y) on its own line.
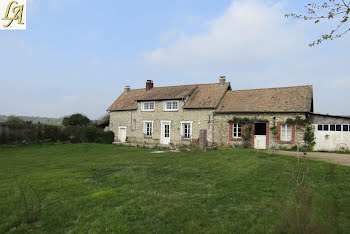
(342,159)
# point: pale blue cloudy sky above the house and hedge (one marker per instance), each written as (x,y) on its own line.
(76,56)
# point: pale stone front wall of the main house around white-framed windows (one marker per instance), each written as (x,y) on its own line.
(133,120)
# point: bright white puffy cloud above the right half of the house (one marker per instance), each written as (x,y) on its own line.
(249,31)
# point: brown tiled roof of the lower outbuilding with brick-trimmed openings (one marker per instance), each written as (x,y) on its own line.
(285,99)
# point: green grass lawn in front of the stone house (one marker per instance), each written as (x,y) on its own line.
(105,188)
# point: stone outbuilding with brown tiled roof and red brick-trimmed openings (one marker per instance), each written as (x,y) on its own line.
(270,113)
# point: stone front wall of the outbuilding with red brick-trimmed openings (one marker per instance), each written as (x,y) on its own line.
(222,128)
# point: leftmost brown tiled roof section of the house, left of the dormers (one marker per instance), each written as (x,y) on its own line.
(127,101)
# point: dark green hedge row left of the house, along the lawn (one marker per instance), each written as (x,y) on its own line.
(29,132)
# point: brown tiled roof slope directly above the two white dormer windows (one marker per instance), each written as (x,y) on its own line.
(168,92)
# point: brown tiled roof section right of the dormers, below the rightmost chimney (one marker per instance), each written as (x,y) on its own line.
(206,96)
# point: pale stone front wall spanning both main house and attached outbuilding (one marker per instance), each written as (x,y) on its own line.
(202,119)
